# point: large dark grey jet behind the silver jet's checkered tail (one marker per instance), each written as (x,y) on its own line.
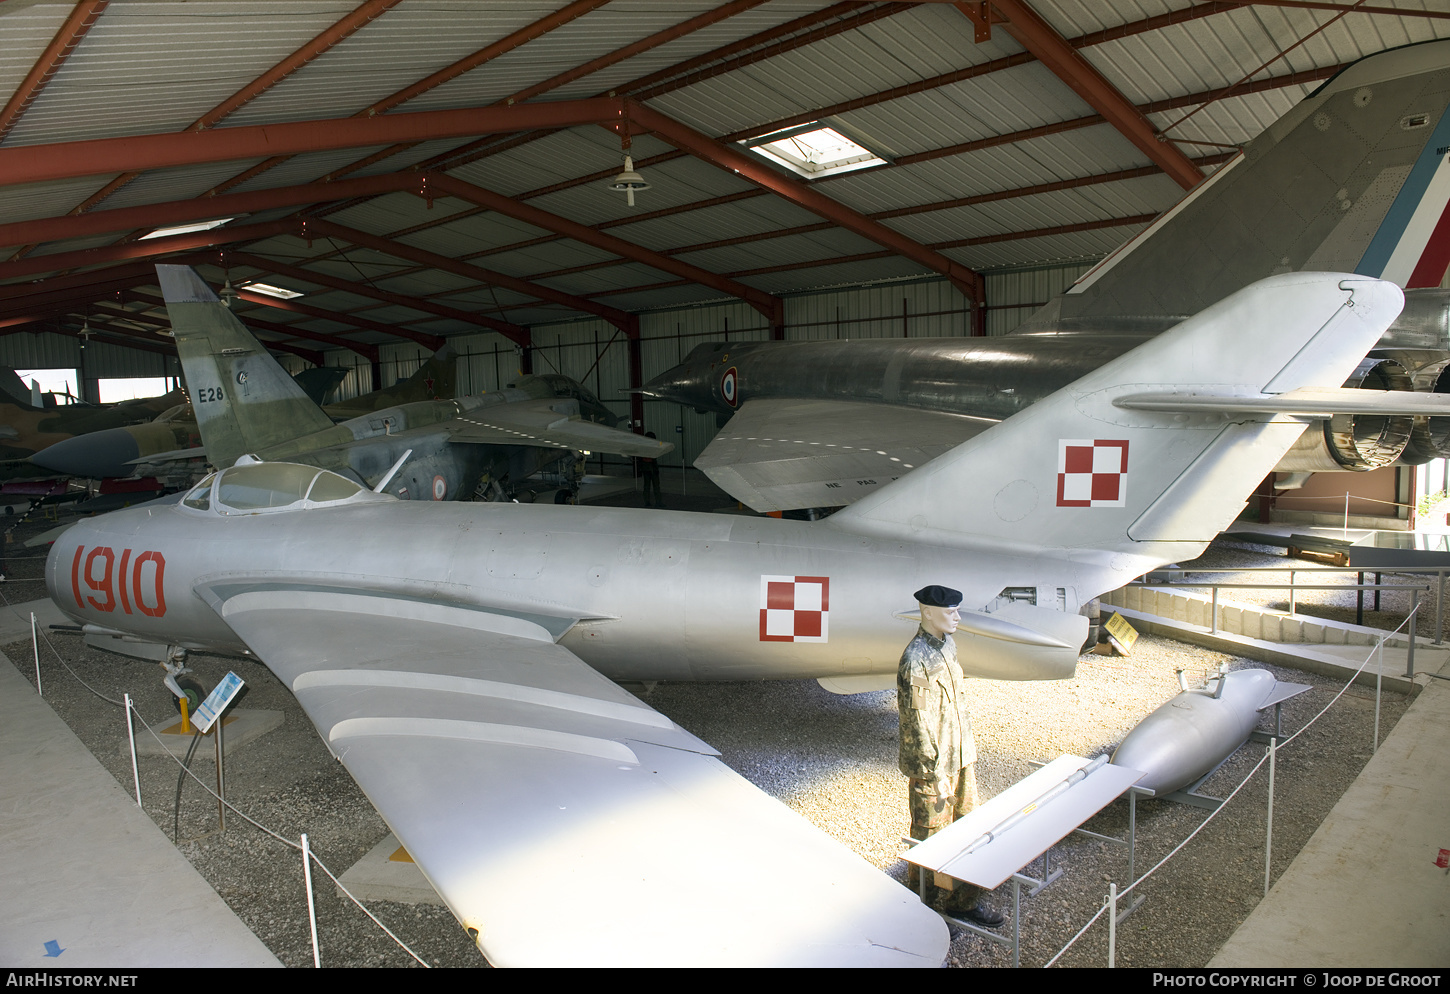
(1356,177)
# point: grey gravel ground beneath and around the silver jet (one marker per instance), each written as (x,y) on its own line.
(830,759)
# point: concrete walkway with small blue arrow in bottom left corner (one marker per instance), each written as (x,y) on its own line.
(88,879)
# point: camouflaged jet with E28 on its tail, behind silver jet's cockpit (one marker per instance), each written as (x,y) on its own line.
(433,450)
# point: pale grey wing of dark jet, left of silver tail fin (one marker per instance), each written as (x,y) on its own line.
(788,454)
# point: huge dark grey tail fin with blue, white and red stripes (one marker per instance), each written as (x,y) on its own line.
(1355,179)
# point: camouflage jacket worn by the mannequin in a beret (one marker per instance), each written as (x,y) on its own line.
(936,730)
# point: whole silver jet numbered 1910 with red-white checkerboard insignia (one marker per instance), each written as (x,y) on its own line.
(457,659)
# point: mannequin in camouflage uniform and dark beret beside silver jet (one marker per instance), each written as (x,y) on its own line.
(937,751)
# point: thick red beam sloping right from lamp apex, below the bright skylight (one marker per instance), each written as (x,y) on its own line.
(752,169)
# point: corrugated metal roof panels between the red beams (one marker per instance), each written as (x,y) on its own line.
(152,67)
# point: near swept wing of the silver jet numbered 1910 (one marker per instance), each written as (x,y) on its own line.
(558,815)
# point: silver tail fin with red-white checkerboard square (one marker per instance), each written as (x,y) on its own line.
(1094,469)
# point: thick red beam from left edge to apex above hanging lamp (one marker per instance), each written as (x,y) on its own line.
(70,160)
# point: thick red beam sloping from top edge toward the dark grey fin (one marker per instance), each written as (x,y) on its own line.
(1053,51)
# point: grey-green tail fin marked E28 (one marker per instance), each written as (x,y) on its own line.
(244,401)
